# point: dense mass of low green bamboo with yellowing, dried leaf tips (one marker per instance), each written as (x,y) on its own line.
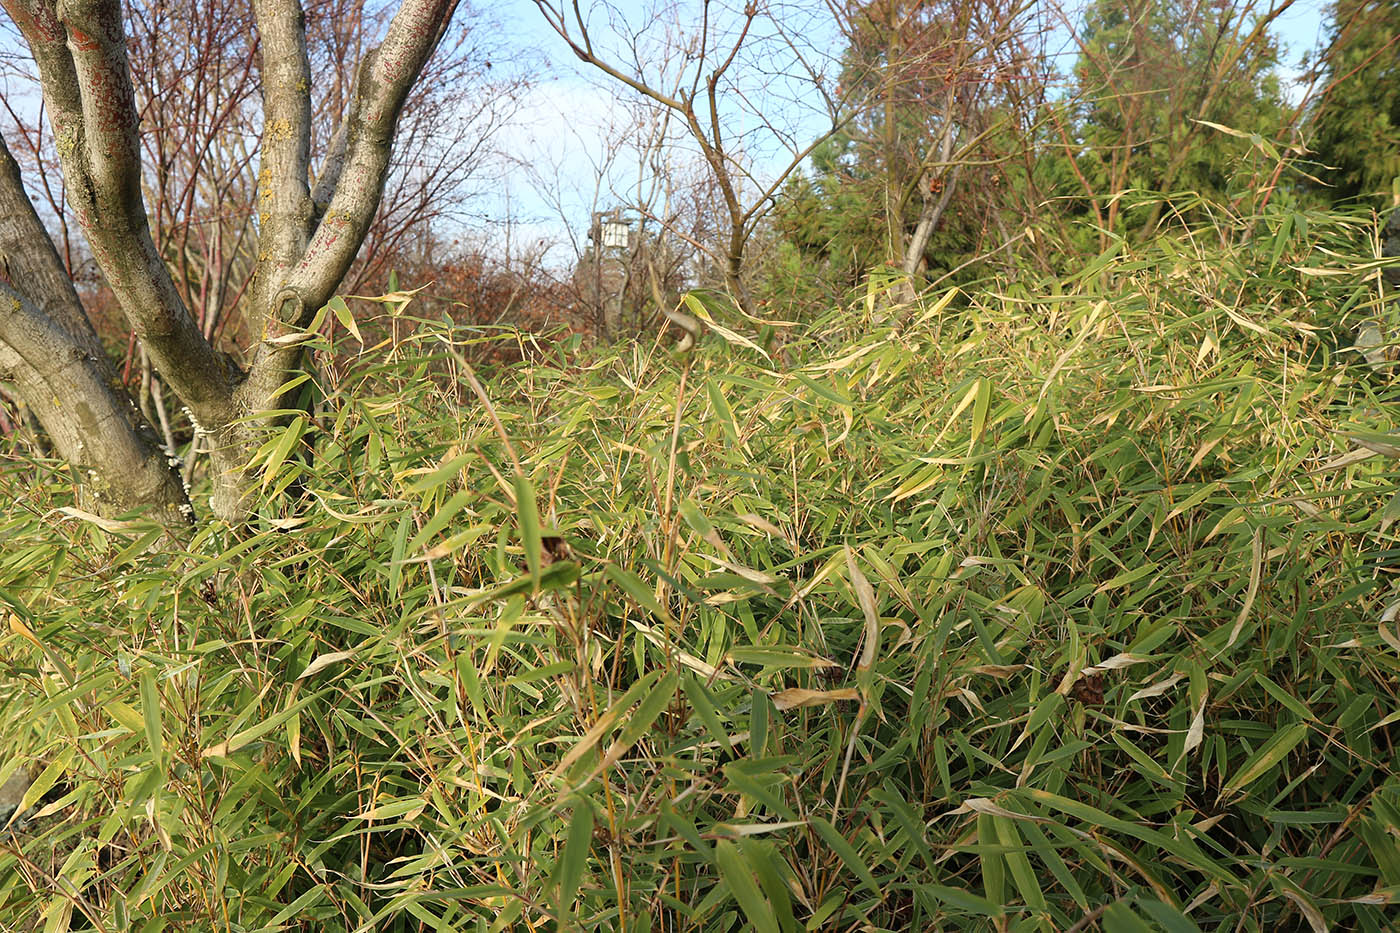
(1027,609)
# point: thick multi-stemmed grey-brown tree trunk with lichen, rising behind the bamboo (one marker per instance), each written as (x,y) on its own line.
(309,237)
